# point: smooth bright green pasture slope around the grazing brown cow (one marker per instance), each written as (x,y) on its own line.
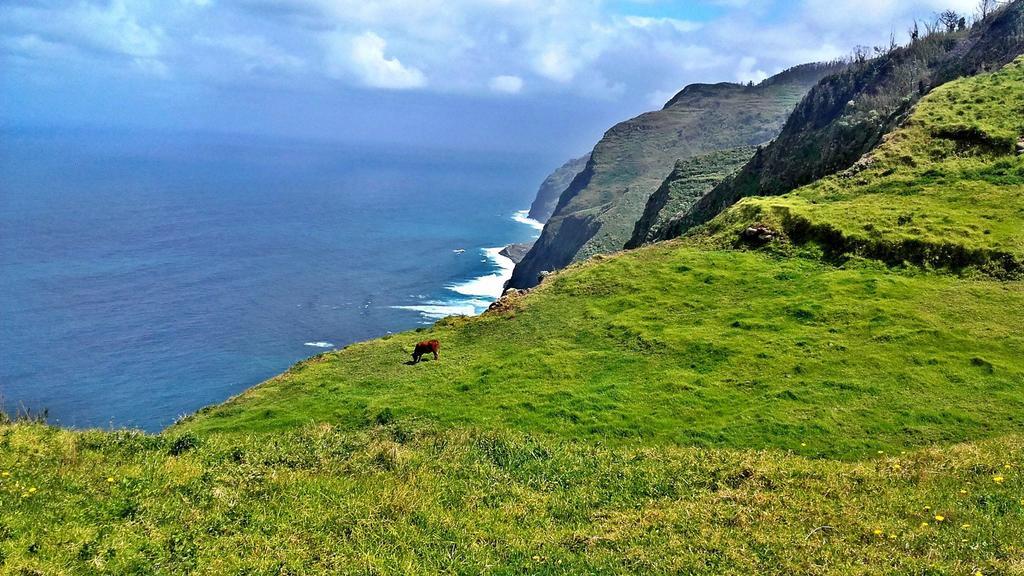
(674,345)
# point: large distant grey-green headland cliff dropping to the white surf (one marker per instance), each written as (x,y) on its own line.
(599,212)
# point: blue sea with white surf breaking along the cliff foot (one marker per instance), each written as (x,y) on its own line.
(145,276)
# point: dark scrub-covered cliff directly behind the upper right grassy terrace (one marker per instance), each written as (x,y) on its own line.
(847,114)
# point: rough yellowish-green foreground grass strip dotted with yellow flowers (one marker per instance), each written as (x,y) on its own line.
(398,501)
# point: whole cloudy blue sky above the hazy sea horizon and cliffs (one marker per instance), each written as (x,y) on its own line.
(531,76)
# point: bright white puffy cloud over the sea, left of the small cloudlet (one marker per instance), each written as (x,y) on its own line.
(365,57)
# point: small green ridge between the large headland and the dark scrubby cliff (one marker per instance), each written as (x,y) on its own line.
(688,184)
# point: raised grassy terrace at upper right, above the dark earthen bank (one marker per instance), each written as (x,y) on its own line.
(948,189)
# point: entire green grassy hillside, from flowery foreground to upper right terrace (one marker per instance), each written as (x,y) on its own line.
(829,382)
